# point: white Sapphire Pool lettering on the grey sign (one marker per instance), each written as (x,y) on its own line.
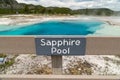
(55,44)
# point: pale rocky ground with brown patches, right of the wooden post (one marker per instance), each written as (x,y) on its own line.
(95,65)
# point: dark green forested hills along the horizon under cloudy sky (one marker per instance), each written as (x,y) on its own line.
(13,7)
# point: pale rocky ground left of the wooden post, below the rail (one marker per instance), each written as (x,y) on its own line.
(29,64)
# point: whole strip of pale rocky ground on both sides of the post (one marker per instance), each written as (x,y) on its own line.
(82,65)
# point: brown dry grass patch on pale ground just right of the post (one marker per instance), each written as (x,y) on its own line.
(79,68)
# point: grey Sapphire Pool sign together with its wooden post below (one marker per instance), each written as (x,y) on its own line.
(58,46)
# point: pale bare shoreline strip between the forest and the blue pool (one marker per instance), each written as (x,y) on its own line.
(23,19)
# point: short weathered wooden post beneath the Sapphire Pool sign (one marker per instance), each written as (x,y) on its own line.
(56,64)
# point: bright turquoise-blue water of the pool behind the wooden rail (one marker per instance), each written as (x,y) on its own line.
(54,28)
